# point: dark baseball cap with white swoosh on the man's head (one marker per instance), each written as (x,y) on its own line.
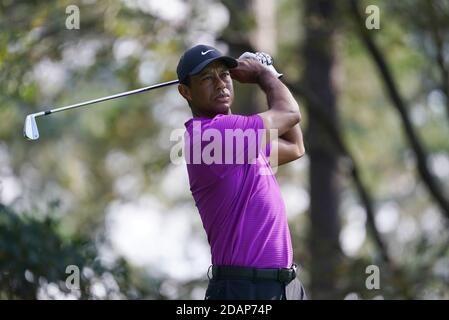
(197,58)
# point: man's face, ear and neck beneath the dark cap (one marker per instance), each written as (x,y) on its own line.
(211,91)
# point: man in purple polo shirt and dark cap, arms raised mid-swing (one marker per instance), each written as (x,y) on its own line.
(241,206)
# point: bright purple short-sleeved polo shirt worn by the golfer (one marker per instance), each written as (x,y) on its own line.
(236,192)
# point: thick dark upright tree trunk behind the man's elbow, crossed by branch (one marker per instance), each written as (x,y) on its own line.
(325,226)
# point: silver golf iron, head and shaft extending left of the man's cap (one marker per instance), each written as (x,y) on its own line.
(31,132)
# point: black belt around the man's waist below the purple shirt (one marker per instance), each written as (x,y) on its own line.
(284,275)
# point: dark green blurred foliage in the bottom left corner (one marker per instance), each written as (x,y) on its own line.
(34,257)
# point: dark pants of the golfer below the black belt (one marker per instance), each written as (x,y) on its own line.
(254,290)
